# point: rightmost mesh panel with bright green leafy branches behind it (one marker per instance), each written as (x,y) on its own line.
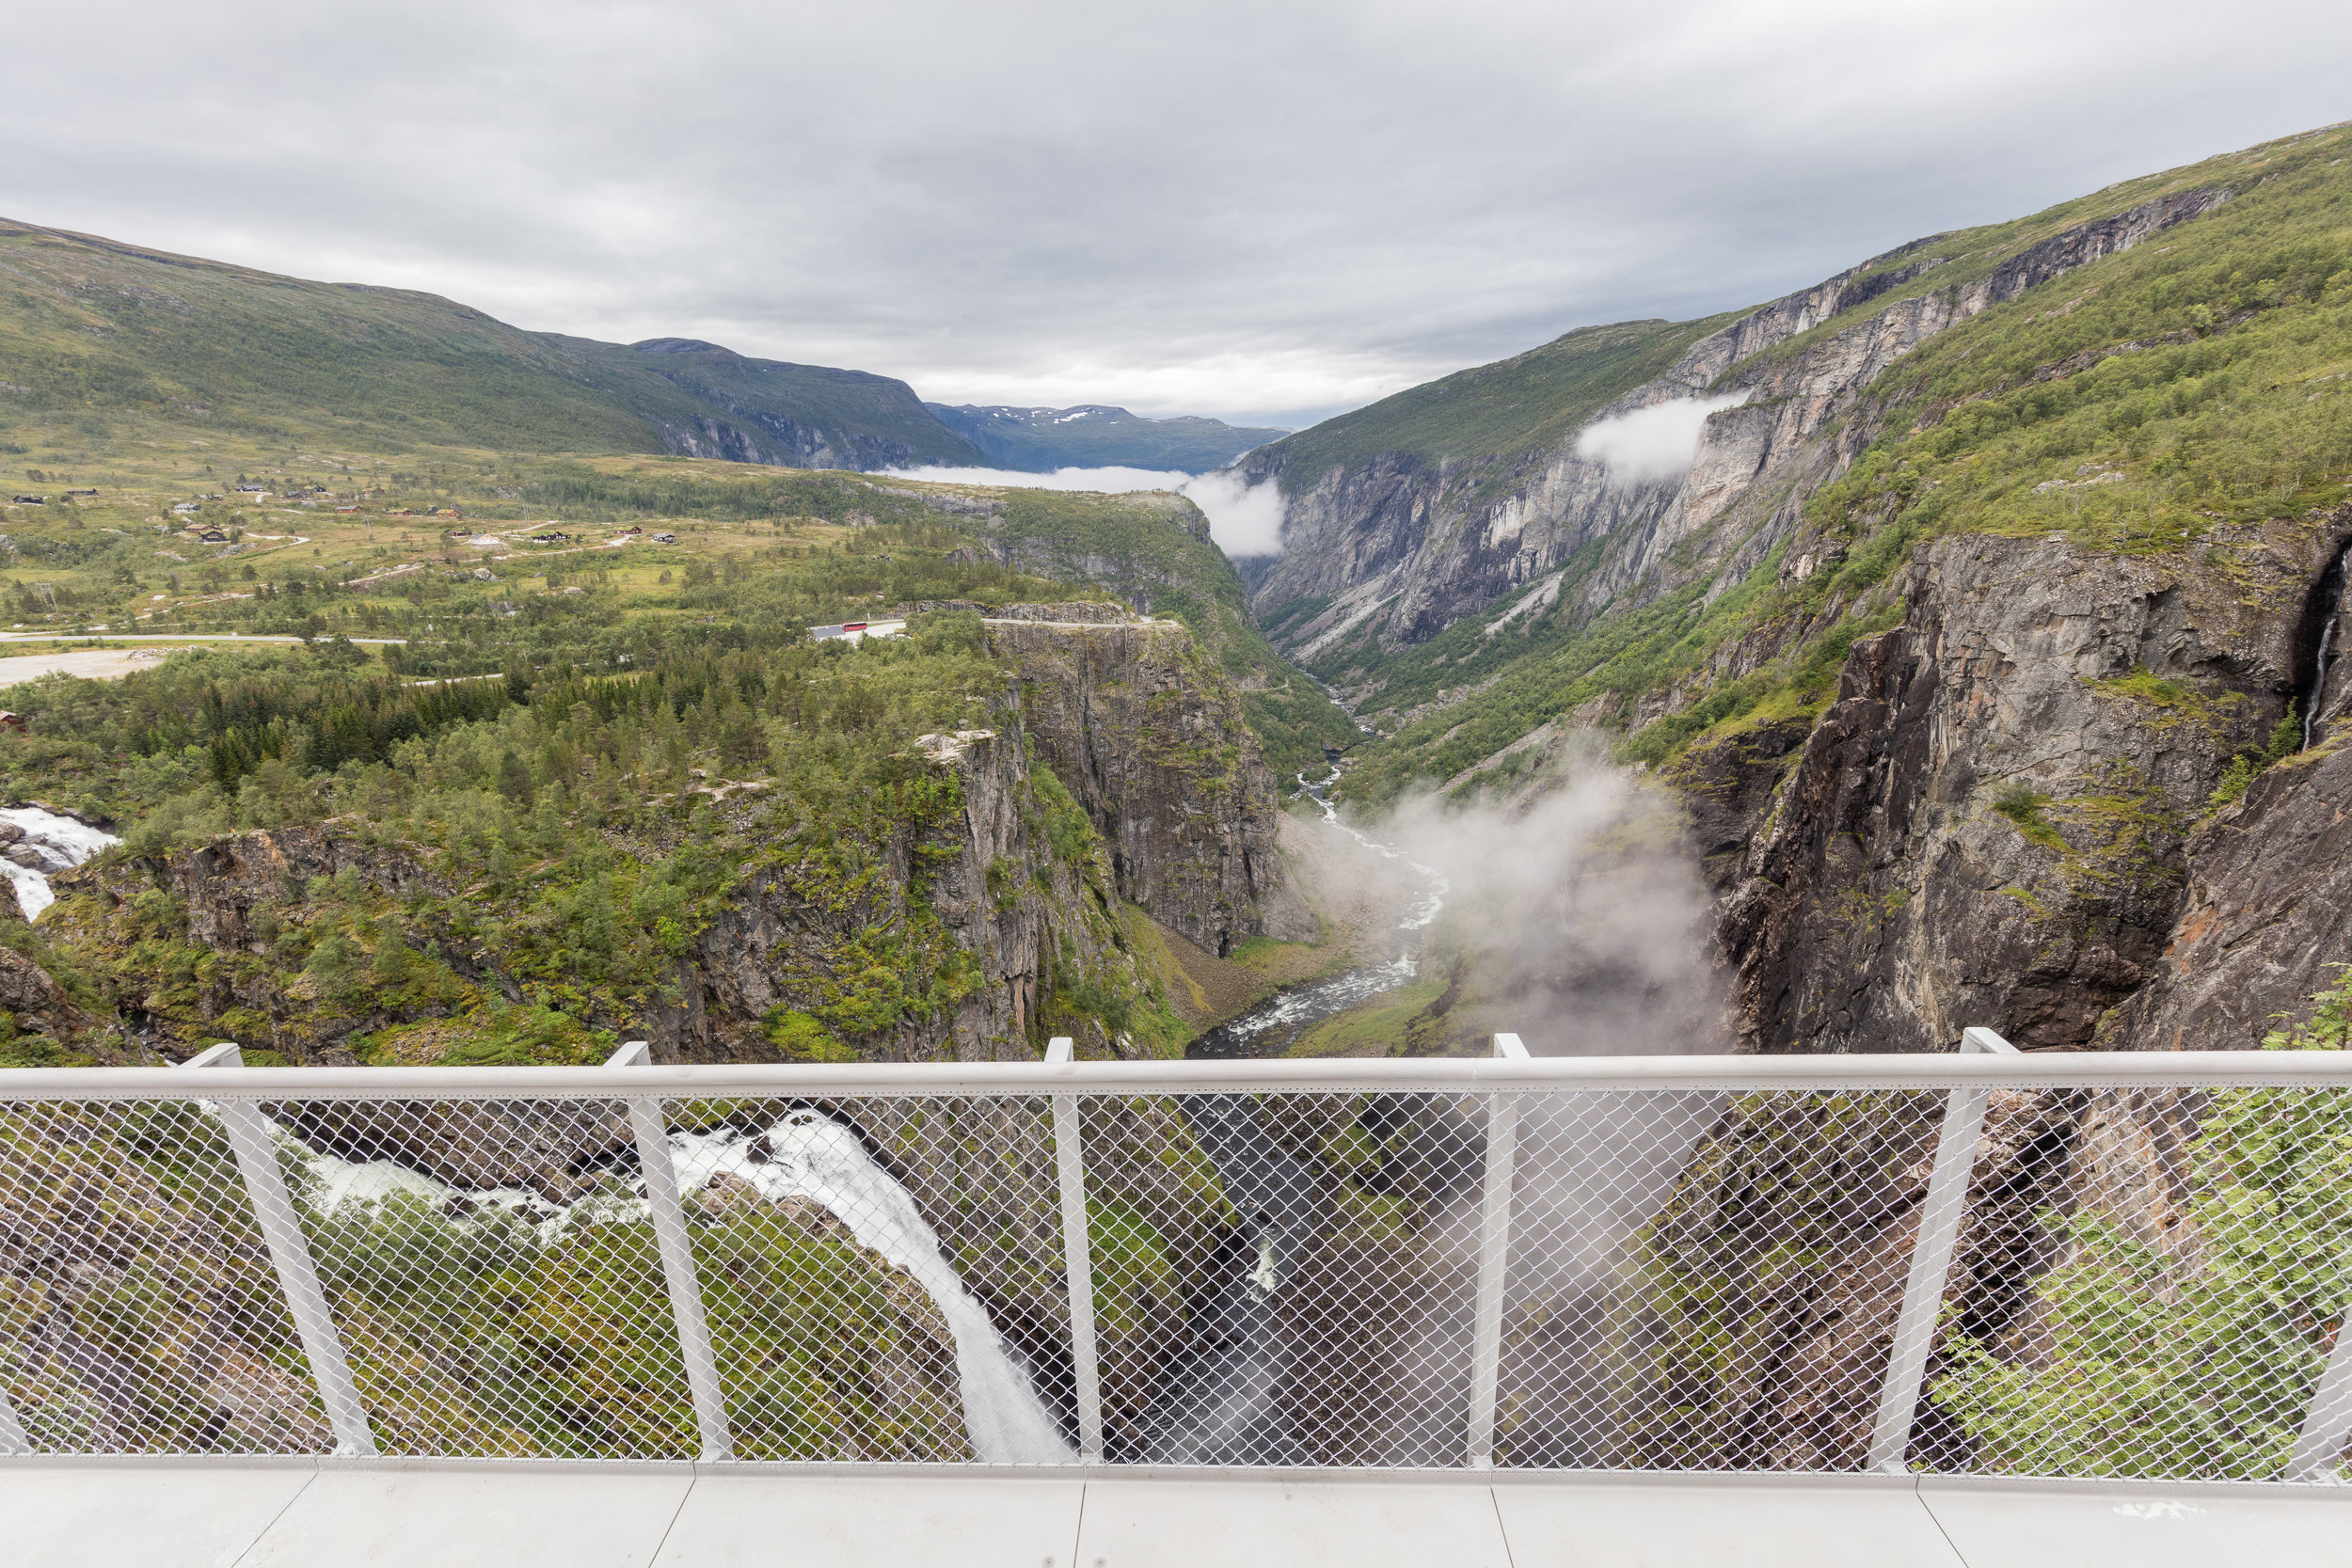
(2172,1306)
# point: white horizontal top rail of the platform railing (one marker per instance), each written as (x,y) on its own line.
(1474,1076)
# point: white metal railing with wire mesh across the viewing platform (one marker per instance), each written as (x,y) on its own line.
(1363,1264)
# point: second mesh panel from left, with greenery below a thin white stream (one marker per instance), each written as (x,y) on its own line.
(493,1273)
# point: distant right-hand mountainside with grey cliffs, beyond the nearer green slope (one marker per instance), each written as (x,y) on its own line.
(1483,575)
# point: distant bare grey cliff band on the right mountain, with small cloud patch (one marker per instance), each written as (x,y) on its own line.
(1398,549)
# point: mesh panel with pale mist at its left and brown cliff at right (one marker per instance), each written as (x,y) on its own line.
(1709,1282)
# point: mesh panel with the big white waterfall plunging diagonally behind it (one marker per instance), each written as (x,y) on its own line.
(883,1278)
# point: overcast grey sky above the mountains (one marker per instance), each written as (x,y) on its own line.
(1264,213)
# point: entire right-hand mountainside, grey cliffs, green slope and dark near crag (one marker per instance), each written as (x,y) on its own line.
(1984,629)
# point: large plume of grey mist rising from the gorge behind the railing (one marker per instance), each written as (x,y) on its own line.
(1584,918)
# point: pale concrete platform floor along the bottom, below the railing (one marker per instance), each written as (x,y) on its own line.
(417,1515)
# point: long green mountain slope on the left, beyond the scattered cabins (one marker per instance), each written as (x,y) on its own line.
(112,333)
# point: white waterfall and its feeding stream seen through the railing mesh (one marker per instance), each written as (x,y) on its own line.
(801,1158)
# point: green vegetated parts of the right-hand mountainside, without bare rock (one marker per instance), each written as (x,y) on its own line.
(2205,380)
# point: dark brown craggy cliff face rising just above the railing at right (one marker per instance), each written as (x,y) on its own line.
(1993,817)
